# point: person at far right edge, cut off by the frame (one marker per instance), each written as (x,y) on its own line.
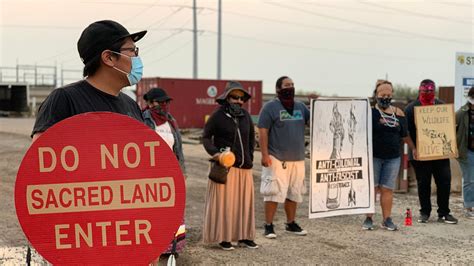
(465,141)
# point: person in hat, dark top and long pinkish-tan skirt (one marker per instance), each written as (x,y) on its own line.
(229,214)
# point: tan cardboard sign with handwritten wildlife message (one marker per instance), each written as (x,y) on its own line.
(435,132)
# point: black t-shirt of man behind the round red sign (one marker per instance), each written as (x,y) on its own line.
(81,97)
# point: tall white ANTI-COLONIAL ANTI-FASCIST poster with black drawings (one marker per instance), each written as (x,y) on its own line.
(341,158)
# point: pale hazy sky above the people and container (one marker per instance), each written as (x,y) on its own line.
(329,46)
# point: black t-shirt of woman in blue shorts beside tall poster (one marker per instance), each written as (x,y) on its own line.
(385,139)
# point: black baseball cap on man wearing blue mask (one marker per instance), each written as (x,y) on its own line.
(101,35)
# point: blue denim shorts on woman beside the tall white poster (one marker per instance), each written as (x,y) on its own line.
(386,172)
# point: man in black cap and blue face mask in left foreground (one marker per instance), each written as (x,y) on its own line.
(111,62)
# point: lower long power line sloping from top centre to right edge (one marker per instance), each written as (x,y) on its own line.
(420,35)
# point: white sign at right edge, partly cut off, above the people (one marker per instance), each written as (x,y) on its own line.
(464,79)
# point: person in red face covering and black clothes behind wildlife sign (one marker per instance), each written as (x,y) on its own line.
(439,169)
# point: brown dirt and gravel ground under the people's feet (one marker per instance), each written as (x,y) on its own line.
(336,240)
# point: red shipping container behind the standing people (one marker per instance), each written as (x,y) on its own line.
(194,99)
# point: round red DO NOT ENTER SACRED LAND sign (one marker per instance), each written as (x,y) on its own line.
(100,188)
